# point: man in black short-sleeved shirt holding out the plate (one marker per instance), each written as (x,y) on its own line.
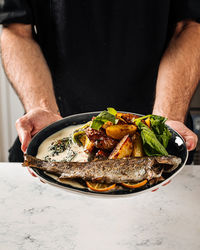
(64,57)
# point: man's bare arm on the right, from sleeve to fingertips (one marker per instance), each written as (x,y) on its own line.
(178,77)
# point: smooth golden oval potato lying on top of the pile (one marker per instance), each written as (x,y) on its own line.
(120,130)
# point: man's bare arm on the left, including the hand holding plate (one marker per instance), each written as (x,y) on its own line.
(29,75)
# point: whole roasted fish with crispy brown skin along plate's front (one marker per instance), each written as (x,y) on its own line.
(108,171)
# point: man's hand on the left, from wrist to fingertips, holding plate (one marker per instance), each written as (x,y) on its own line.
(32,122)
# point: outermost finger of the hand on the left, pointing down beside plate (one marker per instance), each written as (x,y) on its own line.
(24,129)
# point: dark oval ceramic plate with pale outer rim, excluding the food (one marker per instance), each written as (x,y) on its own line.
(176,147)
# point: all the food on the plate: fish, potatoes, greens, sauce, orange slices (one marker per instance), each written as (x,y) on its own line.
(113,150)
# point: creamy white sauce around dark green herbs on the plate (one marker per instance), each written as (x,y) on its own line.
(43,149)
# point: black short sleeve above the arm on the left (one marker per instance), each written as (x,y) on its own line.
(15,11)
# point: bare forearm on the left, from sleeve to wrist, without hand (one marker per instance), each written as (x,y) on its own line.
(27,69)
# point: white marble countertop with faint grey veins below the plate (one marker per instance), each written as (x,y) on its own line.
(34,215)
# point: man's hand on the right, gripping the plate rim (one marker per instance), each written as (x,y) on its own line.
(189,136)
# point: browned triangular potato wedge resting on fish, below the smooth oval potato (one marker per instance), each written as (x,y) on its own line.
(123,149)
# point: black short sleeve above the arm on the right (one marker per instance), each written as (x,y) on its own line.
(185,9)
